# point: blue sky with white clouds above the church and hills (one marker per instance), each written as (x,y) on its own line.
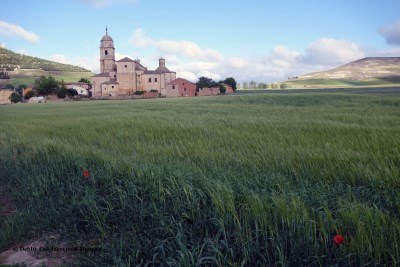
(260,40)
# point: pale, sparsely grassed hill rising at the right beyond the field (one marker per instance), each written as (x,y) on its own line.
(370,71)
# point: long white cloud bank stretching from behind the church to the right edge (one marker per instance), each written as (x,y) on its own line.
(191,61)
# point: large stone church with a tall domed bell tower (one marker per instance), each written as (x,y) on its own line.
(126,76)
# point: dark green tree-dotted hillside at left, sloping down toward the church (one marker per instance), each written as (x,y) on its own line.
(11,60)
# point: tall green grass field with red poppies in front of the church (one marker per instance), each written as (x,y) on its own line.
(234,180)
